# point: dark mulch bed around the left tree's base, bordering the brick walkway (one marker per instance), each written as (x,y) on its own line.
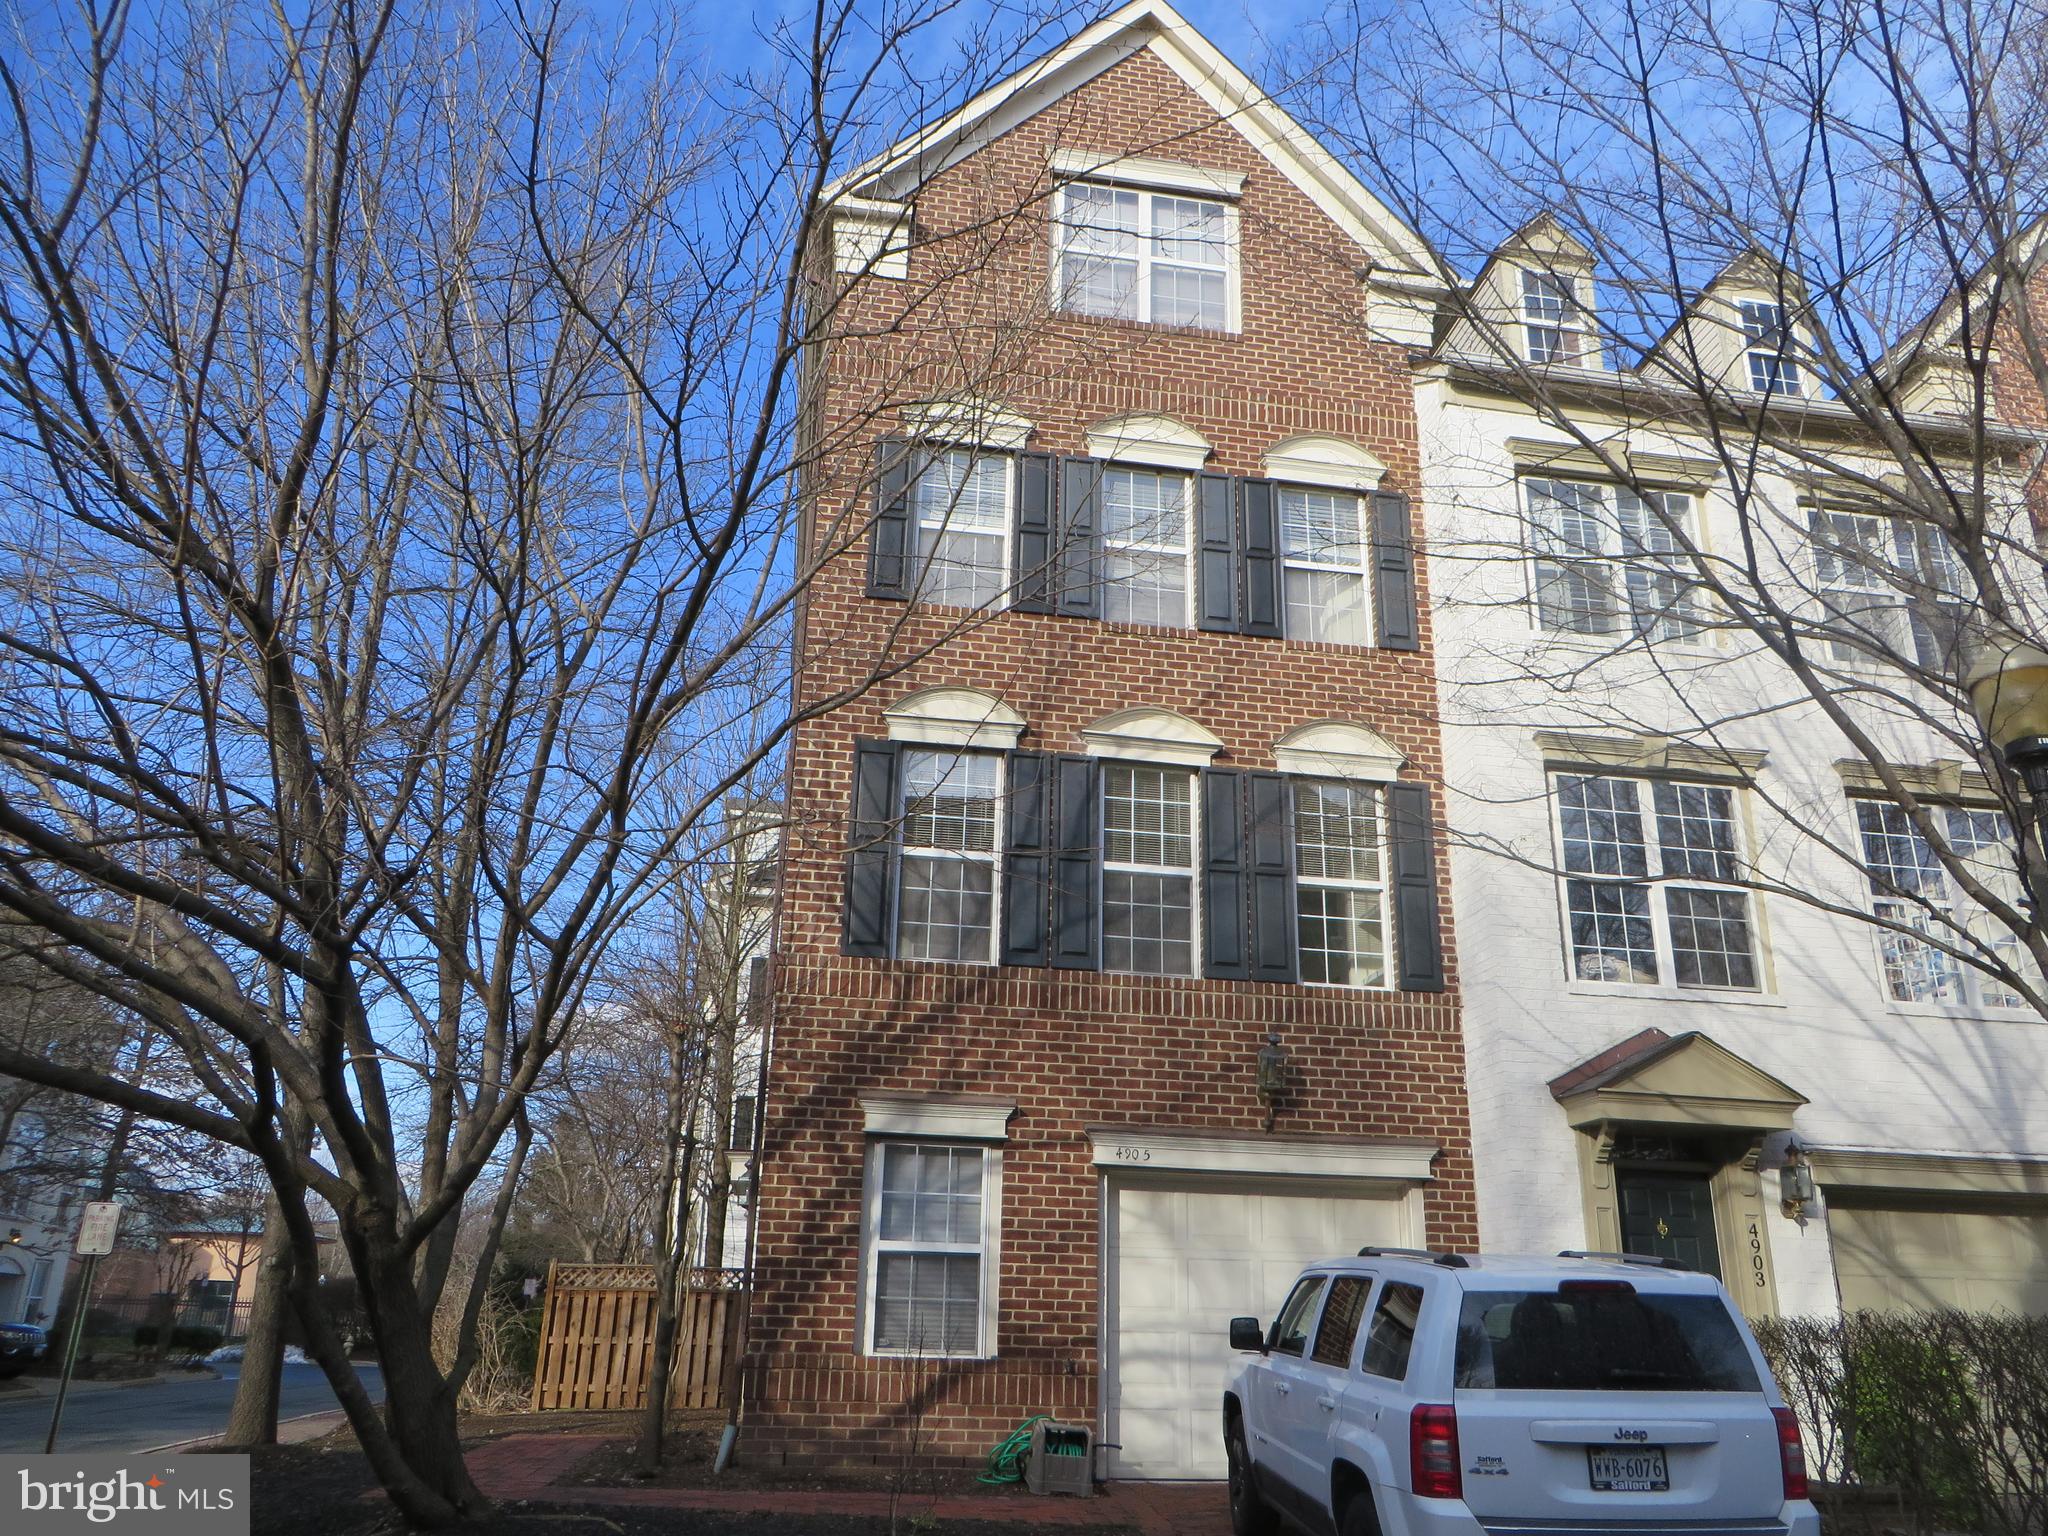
(323,1490)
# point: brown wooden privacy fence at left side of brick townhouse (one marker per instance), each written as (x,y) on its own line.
(597,1338)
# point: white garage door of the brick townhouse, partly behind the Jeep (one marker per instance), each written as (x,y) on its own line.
(1185,1261)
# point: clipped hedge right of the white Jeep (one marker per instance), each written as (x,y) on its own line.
(1924,1422)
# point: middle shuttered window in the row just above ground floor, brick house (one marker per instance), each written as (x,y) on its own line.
(1148,871)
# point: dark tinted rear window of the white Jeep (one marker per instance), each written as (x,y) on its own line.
(1601,1340)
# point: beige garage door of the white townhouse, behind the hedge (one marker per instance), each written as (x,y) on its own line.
(1918,1256)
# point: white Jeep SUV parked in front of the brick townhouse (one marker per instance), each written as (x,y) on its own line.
(1443,1396)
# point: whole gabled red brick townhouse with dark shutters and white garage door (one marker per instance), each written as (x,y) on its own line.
(1113,974)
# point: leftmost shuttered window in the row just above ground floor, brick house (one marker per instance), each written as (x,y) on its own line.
(947,871)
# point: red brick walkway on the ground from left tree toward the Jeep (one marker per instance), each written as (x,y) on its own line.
(527,1467)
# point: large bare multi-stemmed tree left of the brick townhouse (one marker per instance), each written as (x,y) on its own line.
(407,458)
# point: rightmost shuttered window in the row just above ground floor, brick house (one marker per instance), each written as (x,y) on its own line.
(1340,884)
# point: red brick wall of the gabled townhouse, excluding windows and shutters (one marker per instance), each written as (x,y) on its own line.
(1072,1050)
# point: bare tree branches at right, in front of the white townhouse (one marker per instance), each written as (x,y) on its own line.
(1791,253)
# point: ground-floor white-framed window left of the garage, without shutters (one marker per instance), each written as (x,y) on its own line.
(931,1218)
